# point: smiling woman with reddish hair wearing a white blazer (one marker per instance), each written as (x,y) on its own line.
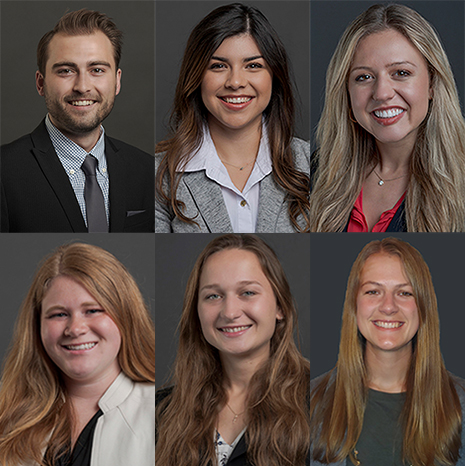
(78,383)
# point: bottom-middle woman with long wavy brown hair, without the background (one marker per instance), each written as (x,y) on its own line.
(238,376)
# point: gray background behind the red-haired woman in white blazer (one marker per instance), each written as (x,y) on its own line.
(20,254)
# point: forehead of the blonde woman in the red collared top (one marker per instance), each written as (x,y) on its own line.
(386,47)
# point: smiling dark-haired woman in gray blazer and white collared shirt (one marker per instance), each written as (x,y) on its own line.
(232,162)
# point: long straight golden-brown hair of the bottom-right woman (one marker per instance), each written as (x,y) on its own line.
(431,416)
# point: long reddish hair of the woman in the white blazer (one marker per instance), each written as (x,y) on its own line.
(34,410)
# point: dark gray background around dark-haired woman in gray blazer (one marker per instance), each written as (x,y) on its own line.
(175,21)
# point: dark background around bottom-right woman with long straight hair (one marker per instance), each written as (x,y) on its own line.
(332,257)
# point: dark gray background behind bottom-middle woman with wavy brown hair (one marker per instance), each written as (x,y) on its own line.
(175,257)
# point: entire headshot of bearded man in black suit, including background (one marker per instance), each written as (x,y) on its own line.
(74,67)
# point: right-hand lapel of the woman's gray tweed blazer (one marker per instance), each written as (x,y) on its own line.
(270,205)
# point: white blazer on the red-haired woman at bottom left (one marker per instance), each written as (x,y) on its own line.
(125,434)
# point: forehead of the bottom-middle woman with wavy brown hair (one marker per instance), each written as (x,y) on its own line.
(232,265)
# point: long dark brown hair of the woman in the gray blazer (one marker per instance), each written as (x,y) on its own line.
(189,114)
